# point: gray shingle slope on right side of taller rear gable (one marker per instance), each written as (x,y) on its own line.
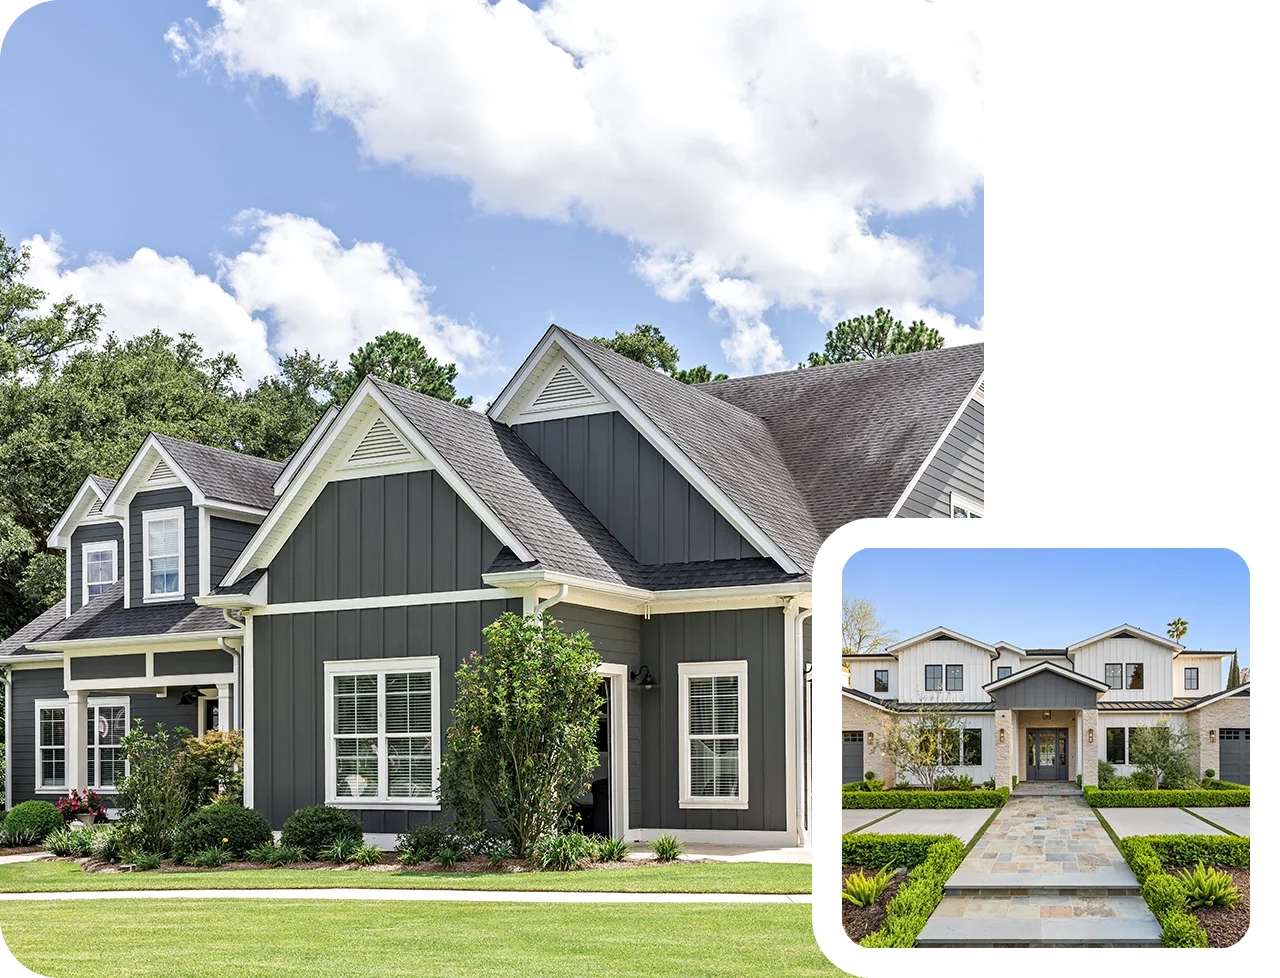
(734,449)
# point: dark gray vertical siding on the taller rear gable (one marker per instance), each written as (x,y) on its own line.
(633,491)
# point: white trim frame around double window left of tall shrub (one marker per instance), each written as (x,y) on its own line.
(381,668)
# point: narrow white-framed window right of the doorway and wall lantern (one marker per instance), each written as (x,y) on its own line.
(714,734)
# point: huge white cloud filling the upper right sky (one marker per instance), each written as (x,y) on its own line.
(740,145)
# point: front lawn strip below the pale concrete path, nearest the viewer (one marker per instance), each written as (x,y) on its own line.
(295,939)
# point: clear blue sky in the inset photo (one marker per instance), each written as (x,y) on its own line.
(1054,598)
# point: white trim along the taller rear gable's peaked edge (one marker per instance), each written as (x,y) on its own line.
(650,431)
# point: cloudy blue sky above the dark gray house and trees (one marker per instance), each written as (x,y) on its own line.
(127,140)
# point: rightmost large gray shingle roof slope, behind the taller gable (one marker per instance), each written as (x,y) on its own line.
(854,435)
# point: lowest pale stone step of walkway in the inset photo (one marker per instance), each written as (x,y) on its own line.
(1046,933)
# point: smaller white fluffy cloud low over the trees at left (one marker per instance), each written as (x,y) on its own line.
(317,294)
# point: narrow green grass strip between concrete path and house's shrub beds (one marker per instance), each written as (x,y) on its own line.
(679,879)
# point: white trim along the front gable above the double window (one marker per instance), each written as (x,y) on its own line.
(271,536)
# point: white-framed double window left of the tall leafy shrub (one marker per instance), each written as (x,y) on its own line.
(383,733)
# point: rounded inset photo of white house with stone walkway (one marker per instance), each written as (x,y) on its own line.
(1046,748)
